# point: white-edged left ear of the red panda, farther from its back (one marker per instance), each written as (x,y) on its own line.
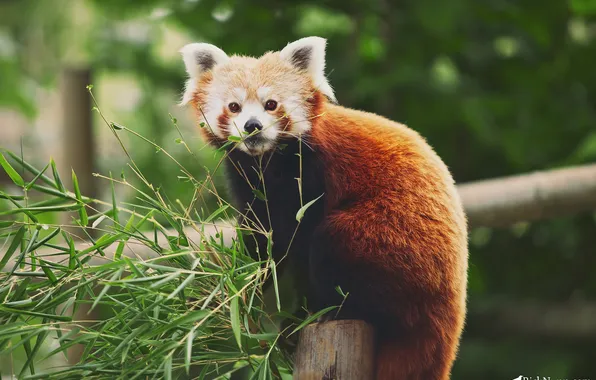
(199,58)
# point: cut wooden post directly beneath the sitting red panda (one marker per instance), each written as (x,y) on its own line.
(336,350)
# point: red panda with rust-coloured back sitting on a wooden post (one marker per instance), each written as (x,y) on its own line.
(389,229)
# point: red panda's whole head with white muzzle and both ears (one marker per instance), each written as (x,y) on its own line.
(259,101)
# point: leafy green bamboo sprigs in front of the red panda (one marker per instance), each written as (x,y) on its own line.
(190,307)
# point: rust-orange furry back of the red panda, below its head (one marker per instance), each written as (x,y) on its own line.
(392,203)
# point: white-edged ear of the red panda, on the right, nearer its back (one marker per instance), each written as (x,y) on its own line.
(309,54)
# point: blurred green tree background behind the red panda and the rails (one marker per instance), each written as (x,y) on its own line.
(498,87)
